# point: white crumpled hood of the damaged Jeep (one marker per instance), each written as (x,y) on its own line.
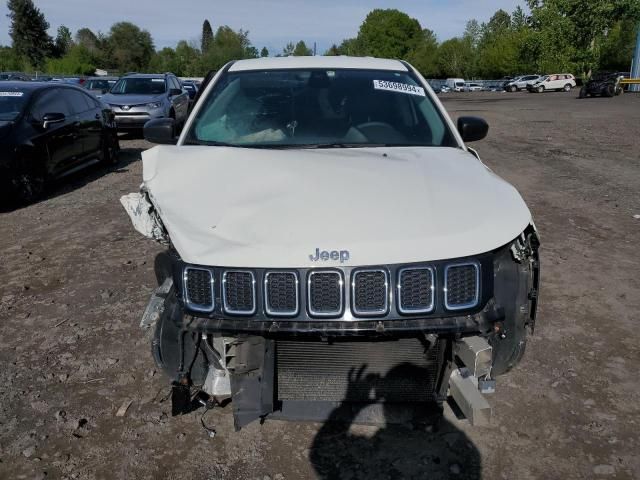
(239,207)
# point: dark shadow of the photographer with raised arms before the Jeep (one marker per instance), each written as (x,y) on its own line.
(425,446)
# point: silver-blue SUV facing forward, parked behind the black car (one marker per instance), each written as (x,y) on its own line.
(138,98)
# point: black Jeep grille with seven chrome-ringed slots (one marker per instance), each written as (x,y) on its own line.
(384,292)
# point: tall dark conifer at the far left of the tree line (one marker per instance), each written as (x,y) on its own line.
(28,31)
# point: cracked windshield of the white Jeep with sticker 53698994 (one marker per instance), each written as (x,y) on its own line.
(319,108)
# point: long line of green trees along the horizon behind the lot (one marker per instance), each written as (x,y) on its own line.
(577,36)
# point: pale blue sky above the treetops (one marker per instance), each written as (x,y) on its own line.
(271,23)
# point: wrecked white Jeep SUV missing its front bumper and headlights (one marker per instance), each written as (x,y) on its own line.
(323,216)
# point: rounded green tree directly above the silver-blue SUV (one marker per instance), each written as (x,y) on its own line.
(128,48)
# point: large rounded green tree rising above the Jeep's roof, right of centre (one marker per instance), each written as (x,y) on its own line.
(389,34)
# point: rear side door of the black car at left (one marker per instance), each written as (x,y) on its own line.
(89,121)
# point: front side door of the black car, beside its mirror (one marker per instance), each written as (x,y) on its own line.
(58,141)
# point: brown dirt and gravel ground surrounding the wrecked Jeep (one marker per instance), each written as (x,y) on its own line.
(76,278)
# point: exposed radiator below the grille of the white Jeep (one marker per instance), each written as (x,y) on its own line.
(403,370)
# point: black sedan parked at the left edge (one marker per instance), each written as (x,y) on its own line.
(49,130)
